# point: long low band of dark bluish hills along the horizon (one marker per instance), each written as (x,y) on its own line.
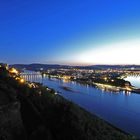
(37,67)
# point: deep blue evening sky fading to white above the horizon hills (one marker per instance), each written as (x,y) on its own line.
(67,31)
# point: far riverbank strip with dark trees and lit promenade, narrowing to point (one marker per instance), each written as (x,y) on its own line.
(114,85)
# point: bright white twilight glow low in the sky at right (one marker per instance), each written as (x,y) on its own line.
(126,52)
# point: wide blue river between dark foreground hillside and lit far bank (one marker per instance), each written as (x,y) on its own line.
(120,109)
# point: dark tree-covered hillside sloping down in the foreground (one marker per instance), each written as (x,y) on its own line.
(35,113)
